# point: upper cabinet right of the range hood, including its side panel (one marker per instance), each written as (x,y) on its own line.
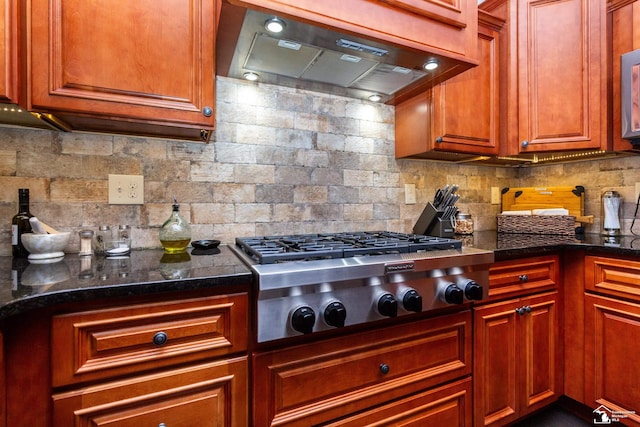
(460,115)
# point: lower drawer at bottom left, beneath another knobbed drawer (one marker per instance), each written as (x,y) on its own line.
(212,394)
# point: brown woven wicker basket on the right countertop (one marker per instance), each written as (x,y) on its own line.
(537,224)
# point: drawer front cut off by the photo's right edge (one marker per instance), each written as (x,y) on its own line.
(612,276)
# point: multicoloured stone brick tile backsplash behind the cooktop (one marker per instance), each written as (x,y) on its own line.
(281,161)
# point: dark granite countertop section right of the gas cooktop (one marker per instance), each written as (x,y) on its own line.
(507,245)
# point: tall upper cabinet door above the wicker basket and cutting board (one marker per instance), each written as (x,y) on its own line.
(561,75)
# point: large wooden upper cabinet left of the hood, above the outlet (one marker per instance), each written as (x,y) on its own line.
(141,67)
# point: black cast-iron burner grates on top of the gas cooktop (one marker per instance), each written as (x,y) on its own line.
(304,247)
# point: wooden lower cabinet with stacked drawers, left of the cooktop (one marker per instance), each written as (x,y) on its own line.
(179,362)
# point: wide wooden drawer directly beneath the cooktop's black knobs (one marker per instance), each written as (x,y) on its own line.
(316,383)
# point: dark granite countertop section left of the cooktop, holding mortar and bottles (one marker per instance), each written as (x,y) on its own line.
(25,286)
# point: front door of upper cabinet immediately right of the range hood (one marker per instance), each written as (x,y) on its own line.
(466,107)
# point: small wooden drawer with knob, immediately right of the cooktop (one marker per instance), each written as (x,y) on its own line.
(523,276)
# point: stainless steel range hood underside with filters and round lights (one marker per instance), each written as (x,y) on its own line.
(323,60)
